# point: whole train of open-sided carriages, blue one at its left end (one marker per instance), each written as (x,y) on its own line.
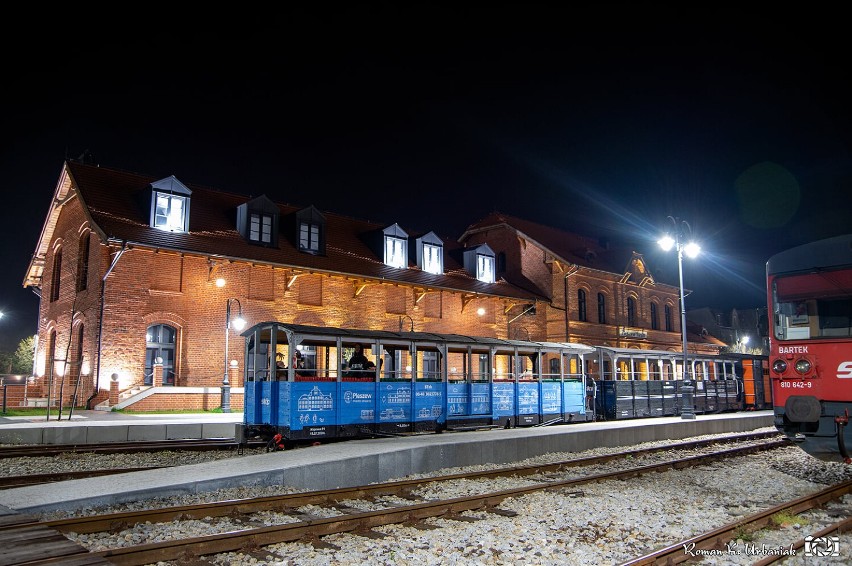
(426,382)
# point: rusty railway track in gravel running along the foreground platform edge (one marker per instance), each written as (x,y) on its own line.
(299,517)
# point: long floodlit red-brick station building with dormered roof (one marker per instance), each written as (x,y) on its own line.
(136,275)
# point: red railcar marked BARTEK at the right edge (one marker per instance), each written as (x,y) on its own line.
(809,293)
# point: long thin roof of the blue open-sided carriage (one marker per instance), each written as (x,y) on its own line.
(388,335)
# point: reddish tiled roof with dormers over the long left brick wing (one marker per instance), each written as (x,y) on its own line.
(114,200)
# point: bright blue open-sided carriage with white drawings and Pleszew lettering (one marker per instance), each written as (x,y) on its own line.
(302,382)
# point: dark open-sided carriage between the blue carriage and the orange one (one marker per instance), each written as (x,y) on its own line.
(635,383)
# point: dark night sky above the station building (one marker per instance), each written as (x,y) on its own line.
(433,115)
